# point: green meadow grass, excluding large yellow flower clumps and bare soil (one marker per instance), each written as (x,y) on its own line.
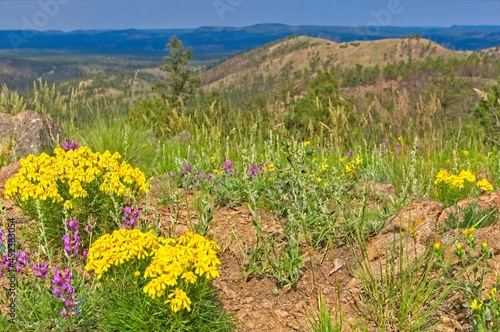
(316,192)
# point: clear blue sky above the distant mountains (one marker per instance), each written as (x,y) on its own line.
(70,15)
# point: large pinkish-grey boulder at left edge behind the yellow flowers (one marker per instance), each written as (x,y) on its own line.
(30,132)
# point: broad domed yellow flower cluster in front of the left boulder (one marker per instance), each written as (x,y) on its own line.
(45,177)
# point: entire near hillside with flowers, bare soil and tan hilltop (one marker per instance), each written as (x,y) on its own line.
(301,207)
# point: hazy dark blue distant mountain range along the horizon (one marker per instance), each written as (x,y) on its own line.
(219,42)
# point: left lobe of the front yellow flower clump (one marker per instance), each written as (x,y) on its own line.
(118,248)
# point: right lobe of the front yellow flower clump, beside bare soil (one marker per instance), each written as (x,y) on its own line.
(187,258)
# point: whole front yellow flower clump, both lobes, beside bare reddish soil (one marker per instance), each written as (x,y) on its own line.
(174,261)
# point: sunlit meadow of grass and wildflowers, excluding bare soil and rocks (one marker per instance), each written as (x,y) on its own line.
(88,260)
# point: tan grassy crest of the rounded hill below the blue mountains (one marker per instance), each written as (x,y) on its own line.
(299,54)
